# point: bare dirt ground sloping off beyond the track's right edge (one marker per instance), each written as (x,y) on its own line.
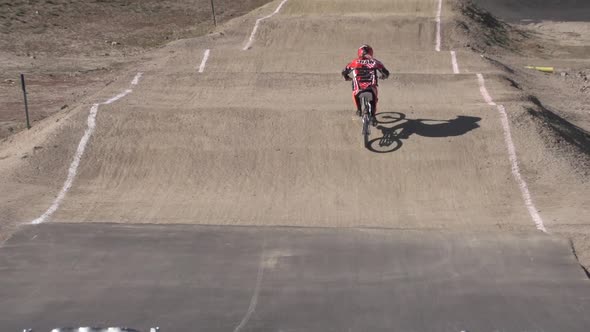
(556,106)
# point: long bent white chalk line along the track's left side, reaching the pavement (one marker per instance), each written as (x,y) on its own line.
(91,122)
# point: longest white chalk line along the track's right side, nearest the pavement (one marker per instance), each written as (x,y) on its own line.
(526,195)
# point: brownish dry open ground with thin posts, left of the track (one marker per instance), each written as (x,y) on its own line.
(68,49)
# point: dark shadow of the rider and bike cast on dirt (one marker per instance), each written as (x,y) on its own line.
(395,128)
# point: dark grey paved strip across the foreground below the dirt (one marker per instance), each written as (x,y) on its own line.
(199,278)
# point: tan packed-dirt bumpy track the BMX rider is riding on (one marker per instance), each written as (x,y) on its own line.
(265,133)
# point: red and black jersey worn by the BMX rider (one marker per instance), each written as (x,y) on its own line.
(364,73)
